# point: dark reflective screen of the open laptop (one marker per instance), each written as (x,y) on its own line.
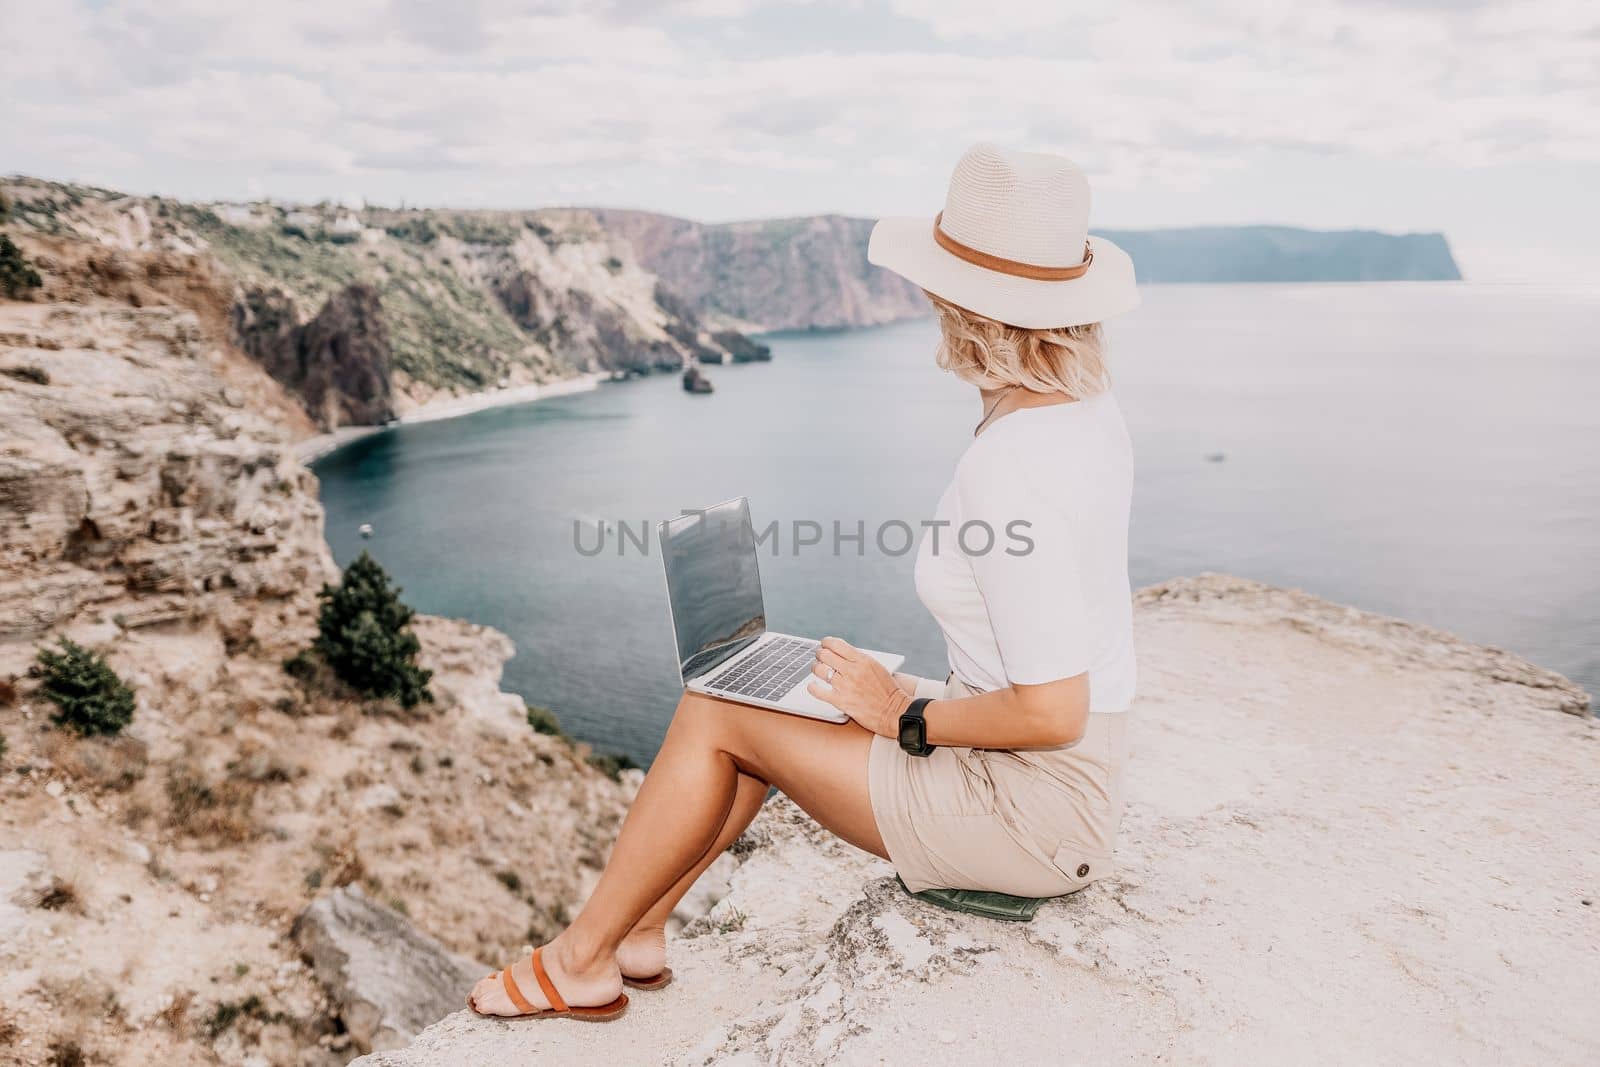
(713,583)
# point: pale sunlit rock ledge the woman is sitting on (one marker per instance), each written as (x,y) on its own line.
(1350,841)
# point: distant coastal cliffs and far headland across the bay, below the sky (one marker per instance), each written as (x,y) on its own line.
(370,314)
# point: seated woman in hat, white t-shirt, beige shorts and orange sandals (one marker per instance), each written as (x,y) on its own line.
(1007,777)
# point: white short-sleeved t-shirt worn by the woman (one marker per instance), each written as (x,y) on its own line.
(1030,577)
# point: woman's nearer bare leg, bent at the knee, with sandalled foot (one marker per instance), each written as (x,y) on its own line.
(681,812)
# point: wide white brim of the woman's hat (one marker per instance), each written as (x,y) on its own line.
(906,247)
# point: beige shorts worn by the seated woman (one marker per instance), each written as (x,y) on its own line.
(1031,823)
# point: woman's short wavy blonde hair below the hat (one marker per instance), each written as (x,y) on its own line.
(993,356)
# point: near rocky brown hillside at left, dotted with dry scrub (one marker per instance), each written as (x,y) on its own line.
(150,884)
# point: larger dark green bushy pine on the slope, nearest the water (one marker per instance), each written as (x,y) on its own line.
(364,634)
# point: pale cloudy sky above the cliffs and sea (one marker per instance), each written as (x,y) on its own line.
(1478,119)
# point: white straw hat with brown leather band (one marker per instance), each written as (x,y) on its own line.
(1012,244)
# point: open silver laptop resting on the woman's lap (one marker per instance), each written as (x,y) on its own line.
(719,620)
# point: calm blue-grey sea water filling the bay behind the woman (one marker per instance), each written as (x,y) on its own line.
(1423,450)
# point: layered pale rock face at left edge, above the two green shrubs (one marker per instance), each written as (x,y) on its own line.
(143,478)
